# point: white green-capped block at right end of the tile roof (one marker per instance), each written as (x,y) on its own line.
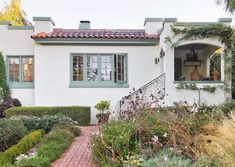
(153,25)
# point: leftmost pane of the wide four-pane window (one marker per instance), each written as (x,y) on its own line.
(78,68)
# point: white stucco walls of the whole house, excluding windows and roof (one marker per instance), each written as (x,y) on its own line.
(52,69)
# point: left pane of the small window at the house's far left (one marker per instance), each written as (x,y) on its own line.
(14,74)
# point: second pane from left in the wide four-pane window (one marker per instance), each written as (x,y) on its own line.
(92,68)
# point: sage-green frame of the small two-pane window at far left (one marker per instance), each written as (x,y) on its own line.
(21,84)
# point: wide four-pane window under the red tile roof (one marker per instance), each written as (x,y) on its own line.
(99,70)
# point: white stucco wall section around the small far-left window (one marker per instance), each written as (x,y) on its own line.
(18,42)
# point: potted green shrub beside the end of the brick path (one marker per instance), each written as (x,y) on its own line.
(103,116)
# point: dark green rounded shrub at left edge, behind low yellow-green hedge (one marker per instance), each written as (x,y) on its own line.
(10,132)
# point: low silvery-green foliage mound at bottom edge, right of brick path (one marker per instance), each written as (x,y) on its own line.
(167,158)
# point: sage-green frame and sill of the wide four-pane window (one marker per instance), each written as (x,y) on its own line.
(113,83)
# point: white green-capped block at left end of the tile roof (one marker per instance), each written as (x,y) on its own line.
(43,24)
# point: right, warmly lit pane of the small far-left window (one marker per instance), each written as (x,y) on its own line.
(27,65)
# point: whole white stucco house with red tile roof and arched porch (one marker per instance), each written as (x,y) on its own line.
(48,66)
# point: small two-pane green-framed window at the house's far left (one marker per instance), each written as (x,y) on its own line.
(20,71)
